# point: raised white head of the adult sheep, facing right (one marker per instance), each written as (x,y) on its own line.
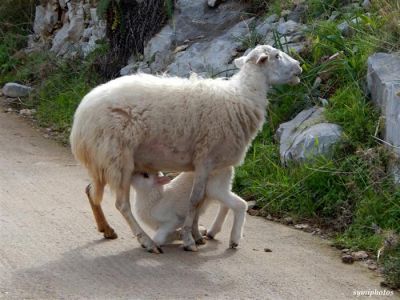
(277,66)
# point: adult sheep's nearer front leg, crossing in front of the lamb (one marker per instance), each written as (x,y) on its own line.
(196,196)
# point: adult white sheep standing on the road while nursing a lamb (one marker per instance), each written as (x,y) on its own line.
(150,123)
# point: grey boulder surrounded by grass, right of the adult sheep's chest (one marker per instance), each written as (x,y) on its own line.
(307,136)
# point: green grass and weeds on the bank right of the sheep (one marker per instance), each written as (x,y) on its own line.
(351,193)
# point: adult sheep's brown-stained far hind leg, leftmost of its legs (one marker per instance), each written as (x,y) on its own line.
(96,191)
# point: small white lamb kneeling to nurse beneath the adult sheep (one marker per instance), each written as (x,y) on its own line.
(163,204)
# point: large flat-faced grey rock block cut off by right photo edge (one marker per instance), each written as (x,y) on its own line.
(384,86)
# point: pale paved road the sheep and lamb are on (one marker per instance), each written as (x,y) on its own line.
(50,248)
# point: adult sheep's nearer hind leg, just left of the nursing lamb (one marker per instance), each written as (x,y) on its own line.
(124,206)
